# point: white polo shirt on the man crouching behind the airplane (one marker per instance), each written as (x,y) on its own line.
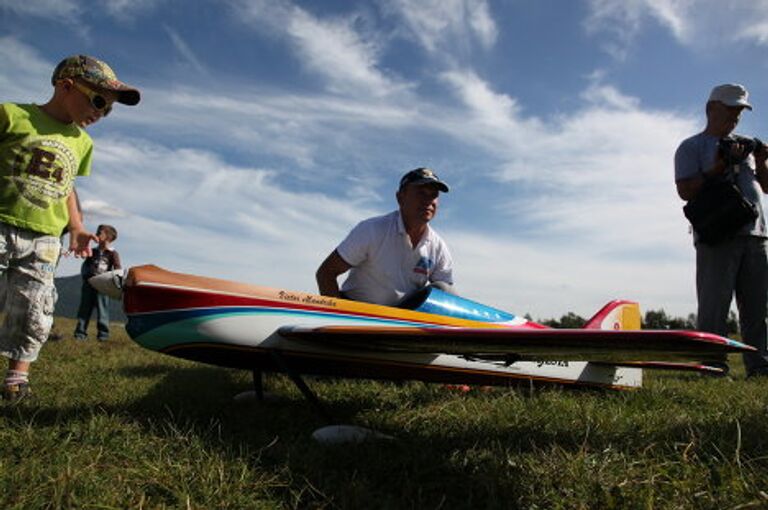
(385,266)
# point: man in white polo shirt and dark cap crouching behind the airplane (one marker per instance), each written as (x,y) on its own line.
(390,256)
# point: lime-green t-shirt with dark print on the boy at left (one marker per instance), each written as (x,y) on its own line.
(39,160)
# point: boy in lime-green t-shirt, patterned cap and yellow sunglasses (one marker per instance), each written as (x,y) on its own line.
(42,149)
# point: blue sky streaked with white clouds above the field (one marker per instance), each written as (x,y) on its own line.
(268,128)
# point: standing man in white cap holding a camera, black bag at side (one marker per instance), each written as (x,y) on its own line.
(732,259)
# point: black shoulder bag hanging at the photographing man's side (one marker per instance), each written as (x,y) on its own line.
(719,211)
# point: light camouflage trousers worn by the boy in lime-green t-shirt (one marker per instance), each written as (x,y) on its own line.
(27,292)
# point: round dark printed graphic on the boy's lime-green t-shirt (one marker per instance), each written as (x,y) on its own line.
(43,171)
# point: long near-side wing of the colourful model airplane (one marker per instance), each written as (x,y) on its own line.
(523,343)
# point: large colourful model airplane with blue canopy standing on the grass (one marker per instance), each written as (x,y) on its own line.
(433,336)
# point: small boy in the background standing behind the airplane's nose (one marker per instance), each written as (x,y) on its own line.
(103,258)
